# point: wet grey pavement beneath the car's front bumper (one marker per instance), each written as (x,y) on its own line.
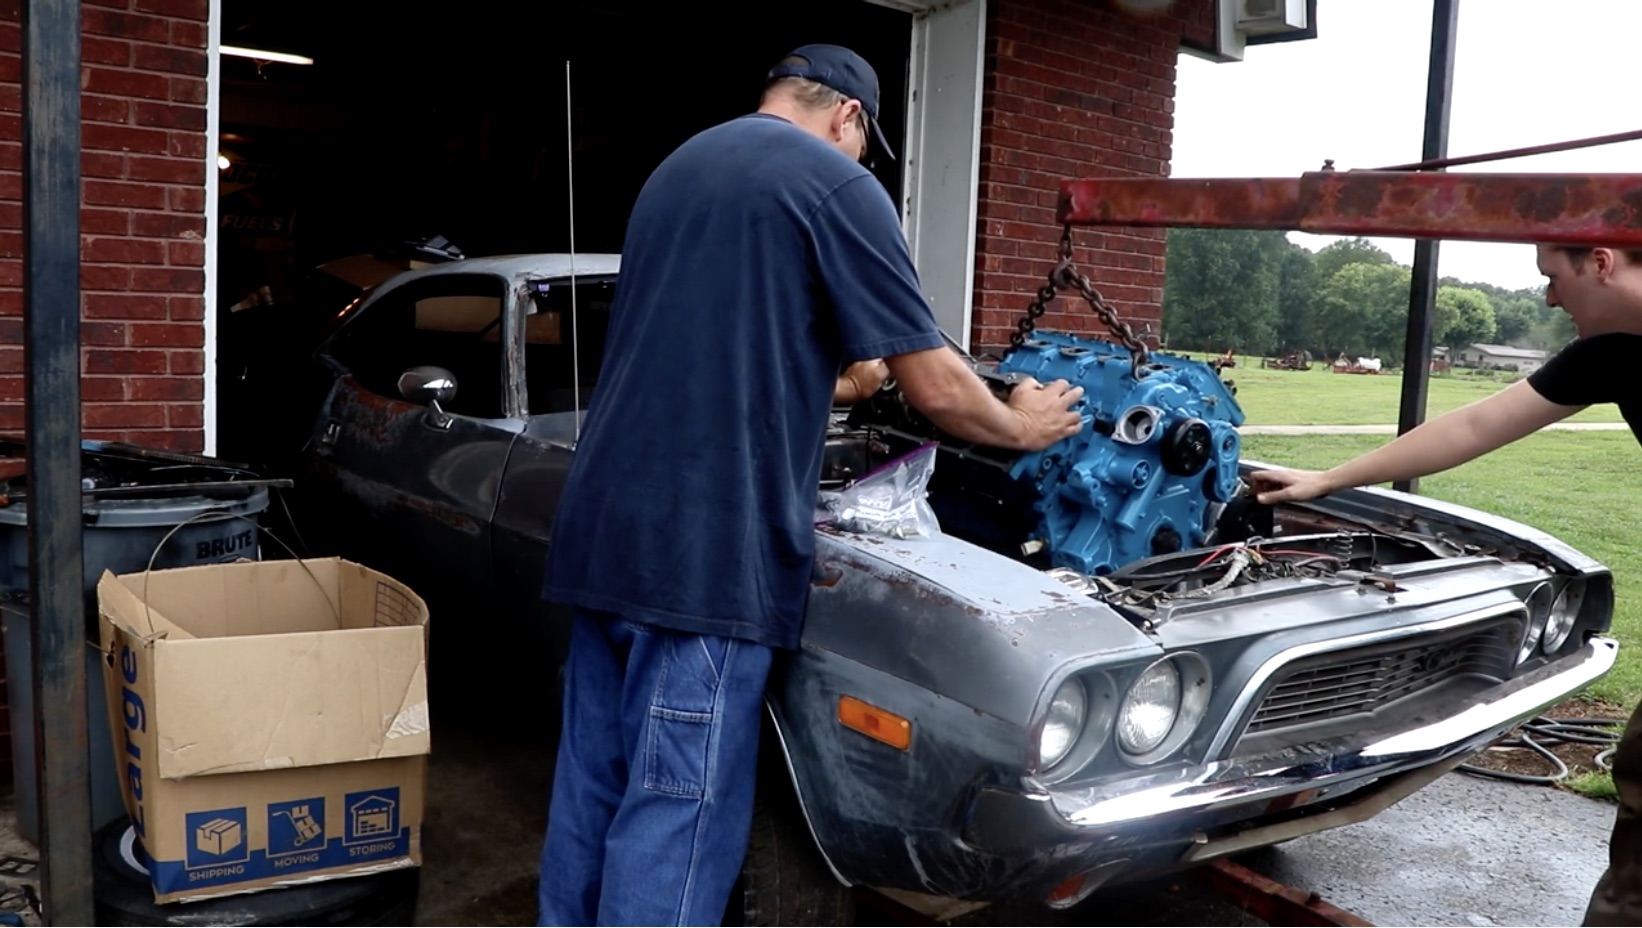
(1465,852)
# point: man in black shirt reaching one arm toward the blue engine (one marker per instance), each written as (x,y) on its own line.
(1602,292)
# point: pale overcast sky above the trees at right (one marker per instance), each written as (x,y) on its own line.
(1526,73)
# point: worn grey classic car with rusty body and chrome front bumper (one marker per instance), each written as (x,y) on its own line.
(971,645)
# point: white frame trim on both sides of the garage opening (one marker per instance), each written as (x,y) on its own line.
(942,172)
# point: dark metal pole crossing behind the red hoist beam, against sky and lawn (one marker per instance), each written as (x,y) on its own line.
(1423,290)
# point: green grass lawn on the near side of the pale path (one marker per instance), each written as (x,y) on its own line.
(1582,487)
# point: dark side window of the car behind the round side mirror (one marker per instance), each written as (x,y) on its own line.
(449,323)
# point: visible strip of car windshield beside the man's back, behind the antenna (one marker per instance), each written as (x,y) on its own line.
(566,349)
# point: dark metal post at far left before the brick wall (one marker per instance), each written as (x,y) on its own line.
(52,397)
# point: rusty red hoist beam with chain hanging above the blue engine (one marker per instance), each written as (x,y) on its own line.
(1562,209)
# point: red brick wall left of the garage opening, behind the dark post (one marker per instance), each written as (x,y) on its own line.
(144,221)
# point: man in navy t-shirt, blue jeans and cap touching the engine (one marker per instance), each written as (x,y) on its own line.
(761,260)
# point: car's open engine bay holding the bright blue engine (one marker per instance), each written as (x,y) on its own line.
(1145,503)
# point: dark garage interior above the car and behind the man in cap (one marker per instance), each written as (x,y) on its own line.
(420,121)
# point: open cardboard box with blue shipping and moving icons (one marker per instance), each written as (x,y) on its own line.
(270,720)
